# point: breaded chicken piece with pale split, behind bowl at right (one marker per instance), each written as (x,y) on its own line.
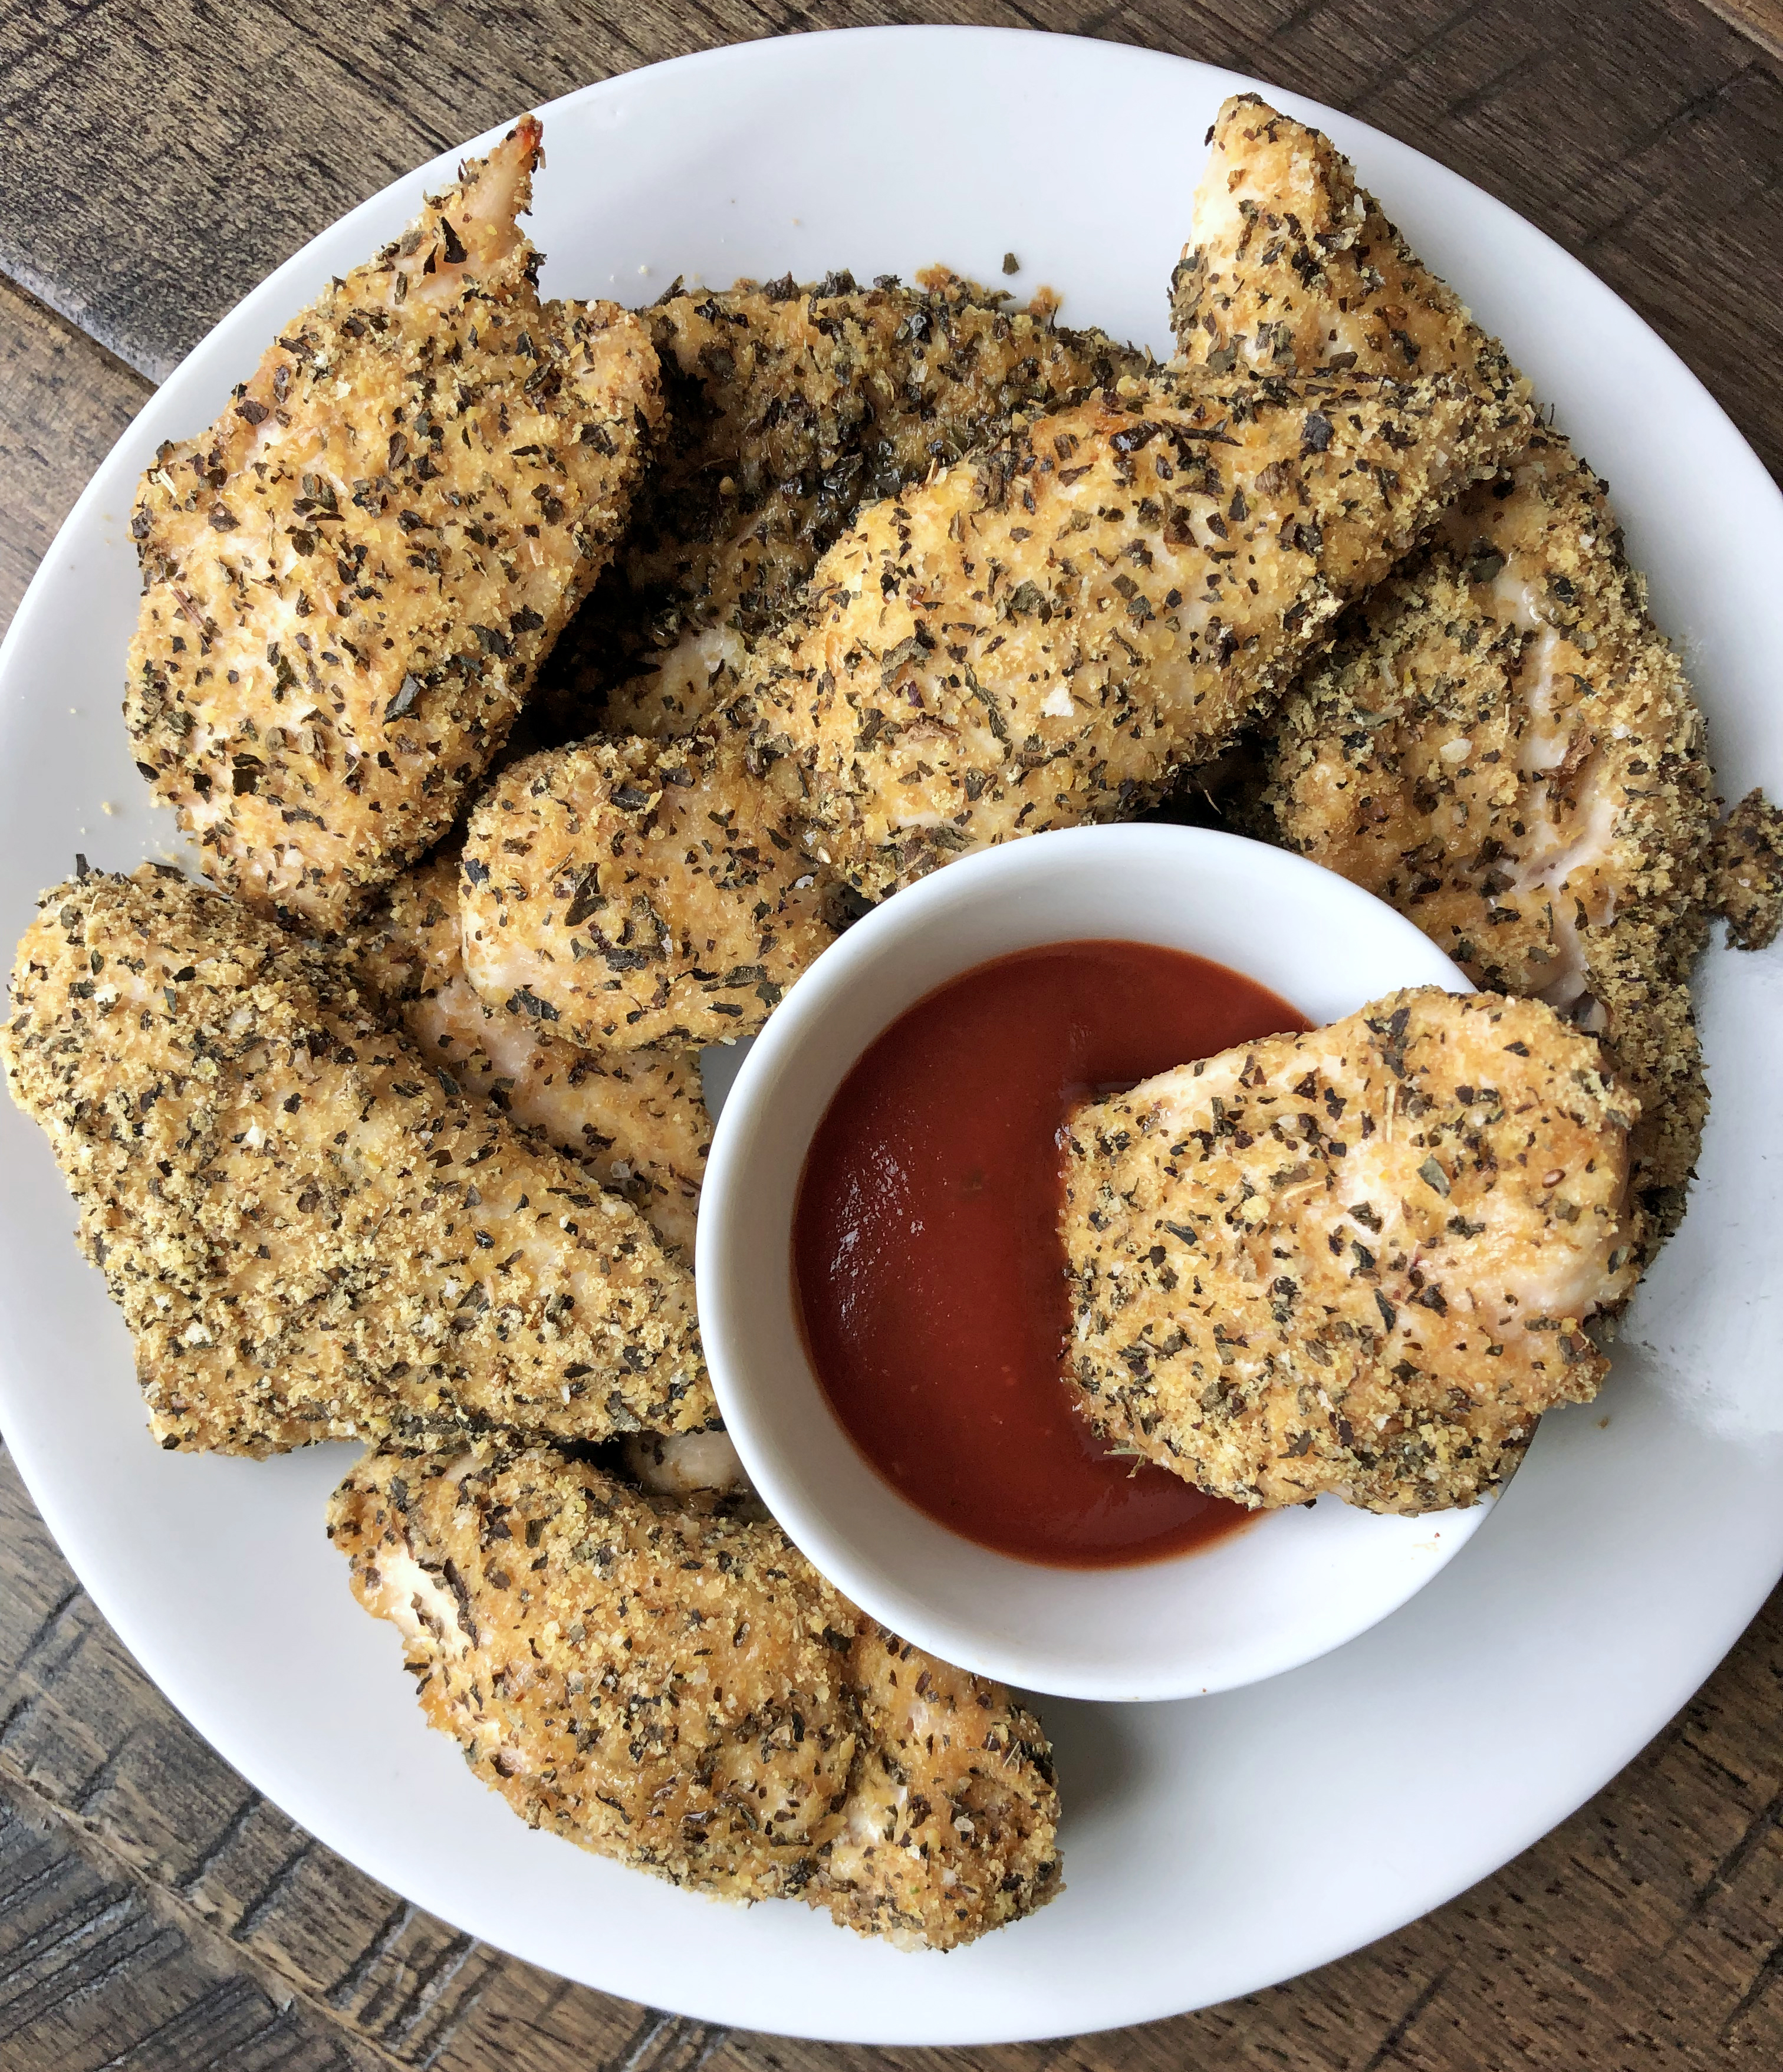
(1507,751)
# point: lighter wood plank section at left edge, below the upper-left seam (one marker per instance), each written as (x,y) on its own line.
(63,403)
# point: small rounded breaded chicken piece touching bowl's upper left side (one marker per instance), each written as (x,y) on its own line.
(641,892)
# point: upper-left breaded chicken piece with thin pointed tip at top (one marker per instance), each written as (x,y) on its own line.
(351,579)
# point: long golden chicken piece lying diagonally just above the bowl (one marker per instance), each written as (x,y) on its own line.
(1051,633)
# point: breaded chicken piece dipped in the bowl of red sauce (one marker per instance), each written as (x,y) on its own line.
(1357,1261)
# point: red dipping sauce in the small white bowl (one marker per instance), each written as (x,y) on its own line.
(929,1267)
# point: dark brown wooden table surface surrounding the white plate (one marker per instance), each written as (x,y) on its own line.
(160,156)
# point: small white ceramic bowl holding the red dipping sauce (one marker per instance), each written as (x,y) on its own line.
(1279,1592)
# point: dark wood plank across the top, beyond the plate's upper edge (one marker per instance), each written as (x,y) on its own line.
(163,161)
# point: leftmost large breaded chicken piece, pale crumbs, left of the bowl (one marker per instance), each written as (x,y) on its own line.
(308,1232)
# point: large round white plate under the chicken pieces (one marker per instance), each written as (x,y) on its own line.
(1215,1845)
